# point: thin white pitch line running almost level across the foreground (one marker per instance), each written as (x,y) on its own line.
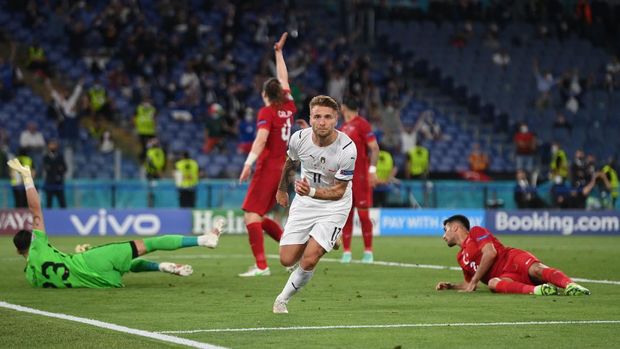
(457,324)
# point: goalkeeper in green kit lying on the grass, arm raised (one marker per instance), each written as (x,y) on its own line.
(98,267)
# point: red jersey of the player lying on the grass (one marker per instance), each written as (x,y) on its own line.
(471,253)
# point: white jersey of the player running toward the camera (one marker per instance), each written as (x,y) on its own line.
(322,166)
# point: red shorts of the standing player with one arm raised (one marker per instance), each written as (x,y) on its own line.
(261,195)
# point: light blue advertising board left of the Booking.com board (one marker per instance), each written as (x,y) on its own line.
(422,222)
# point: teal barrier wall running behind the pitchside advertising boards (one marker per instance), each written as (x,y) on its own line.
(229,194)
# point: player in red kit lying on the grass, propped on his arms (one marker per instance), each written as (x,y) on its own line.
(504,269)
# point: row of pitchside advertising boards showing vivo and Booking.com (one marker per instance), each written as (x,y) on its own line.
(386,221)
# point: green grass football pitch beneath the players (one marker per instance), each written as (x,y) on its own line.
(338,295)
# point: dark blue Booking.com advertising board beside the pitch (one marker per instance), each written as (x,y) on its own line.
(554,222)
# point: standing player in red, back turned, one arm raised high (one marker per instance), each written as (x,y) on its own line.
(269,152)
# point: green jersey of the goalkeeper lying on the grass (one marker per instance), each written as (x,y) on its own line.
(49,268)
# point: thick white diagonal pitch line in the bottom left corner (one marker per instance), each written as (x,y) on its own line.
(113,327)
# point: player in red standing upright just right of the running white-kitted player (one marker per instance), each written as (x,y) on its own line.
(360,131)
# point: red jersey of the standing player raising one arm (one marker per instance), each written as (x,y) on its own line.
(278,120)
